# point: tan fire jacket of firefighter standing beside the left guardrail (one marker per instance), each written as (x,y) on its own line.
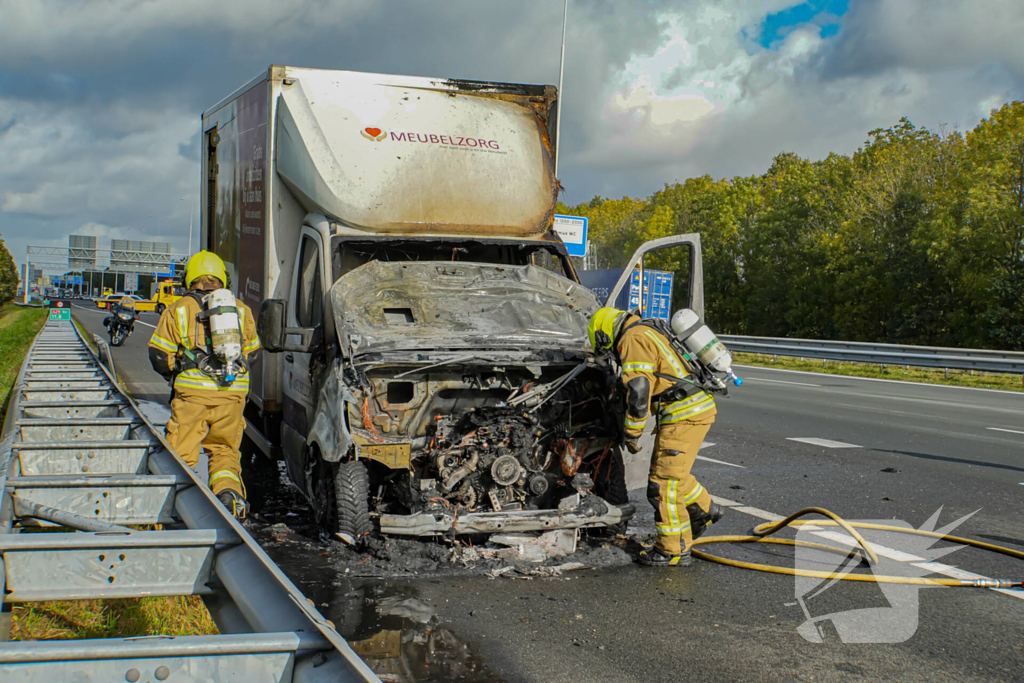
(180,329)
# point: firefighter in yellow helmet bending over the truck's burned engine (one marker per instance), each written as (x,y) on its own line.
(653,372)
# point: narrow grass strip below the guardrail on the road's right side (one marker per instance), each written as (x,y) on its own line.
(963,378)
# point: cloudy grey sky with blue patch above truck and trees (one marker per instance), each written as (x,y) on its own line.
(101,100)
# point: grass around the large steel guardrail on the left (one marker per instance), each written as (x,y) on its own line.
(87,619)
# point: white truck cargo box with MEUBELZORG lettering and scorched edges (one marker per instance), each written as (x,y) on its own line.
(370,154)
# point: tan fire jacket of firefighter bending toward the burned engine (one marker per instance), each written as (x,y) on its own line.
(645,354)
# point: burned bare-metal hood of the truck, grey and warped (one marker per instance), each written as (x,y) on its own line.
(383,307)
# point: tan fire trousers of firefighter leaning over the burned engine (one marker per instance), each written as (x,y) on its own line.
(671,487)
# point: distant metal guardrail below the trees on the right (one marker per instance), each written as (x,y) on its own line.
(888,355)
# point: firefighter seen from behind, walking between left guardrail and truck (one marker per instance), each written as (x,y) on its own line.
(206,409)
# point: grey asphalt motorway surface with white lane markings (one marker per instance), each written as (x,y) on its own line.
(891,451)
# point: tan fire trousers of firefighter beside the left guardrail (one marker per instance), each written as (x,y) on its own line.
(216,428)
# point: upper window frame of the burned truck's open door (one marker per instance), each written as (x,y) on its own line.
(678,255)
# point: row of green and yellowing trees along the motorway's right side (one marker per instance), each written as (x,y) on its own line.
(918,238)
